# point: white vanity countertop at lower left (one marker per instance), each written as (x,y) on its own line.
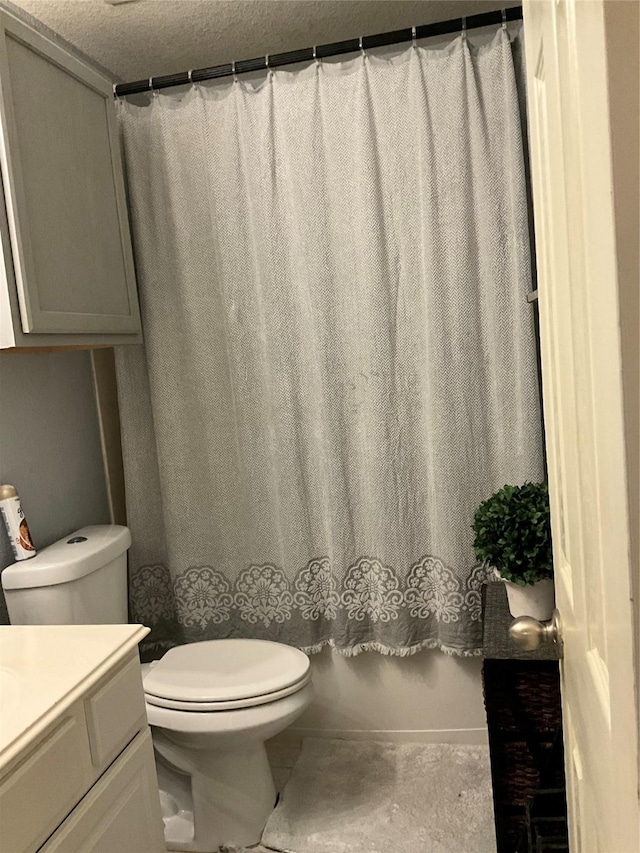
(45,668)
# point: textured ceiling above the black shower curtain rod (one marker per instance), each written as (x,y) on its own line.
(150,37)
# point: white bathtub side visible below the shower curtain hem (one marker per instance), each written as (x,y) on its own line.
(428,697)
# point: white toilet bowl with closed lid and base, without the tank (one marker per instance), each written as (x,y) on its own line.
(211,706)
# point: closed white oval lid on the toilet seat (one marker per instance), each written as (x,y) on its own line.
(225,670)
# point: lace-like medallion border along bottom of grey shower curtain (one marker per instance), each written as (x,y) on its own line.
(202,598)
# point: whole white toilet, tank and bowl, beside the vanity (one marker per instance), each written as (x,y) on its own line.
(211,704)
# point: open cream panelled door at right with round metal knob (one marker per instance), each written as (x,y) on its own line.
(585,366)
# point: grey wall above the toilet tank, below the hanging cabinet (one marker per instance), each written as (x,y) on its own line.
(50,445)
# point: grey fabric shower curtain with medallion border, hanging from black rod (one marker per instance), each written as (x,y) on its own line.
(339,359)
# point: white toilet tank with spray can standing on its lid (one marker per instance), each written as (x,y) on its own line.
(79,580)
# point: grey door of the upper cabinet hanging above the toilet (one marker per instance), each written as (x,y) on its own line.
(64,190)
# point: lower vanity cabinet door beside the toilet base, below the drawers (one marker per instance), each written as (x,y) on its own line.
(121,813)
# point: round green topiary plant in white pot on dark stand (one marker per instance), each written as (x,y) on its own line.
(513,535)
